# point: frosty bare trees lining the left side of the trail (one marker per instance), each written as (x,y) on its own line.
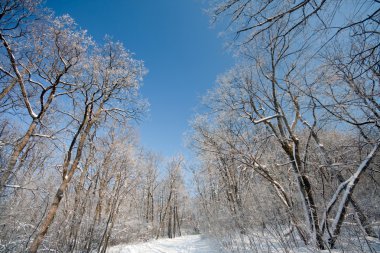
(73,176)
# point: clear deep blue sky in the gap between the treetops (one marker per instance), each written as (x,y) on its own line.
(180,50)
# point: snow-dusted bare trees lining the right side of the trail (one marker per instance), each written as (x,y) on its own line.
(289,145)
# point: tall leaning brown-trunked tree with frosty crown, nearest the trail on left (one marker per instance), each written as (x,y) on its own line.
(111,73)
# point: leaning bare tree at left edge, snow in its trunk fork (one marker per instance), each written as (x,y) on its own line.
(51,61)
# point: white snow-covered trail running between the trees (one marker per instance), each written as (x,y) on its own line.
(184,244)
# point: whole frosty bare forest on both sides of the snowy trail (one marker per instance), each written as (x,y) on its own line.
(286,147)
